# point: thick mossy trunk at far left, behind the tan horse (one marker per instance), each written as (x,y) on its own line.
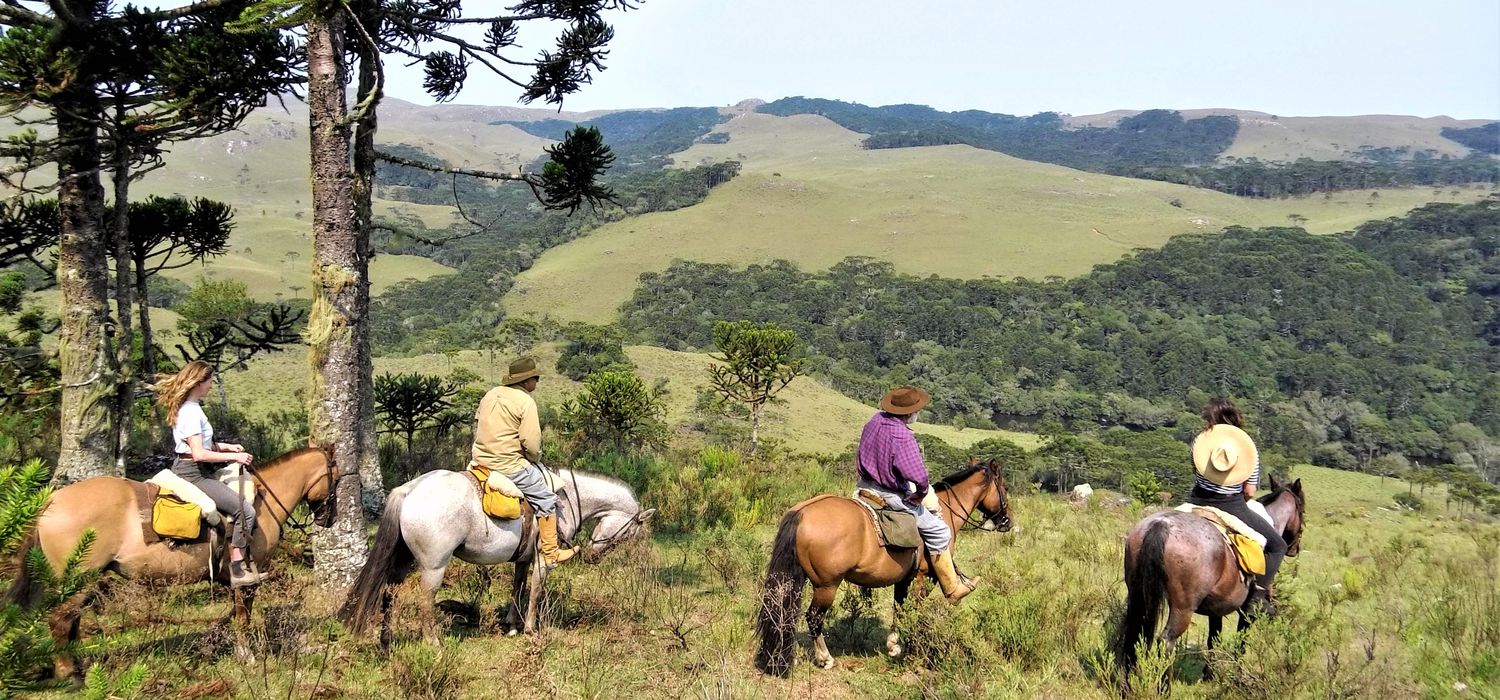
(83,274)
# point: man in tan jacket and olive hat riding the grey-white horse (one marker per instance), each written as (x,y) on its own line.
(508,441)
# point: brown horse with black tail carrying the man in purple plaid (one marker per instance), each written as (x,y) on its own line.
(829,540)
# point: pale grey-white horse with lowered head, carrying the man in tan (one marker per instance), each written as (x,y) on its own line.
(437,516)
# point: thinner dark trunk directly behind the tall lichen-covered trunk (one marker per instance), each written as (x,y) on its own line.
(371,482)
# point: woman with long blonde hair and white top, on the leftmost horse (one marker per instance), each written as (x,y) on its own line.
(197,450)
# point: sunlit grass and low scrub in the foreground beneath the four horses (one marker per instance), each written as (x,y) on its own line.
(1373,608)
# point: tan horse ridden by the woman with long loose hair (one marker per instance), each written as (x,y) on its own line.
(109,507)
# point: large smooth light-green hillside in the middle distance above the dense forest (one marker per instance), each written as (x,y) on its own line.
(809,194)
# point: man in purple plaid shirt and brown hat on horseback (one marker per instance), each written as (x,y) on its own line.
(892,465)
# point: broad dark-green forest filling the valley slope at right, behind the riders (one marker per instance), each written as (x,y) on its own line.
(1346,350)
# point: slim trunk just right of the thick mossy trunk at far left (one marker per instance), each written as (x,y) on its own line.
(124,298)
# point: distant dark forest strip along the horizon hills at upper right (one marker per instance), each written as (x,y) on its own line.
(1156,145)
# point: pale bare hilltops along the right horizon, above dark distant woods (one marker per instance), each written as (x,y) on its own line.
(1271,137)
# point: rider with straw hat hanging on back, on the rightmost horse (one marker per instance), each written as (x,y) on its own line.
(1229,473)
